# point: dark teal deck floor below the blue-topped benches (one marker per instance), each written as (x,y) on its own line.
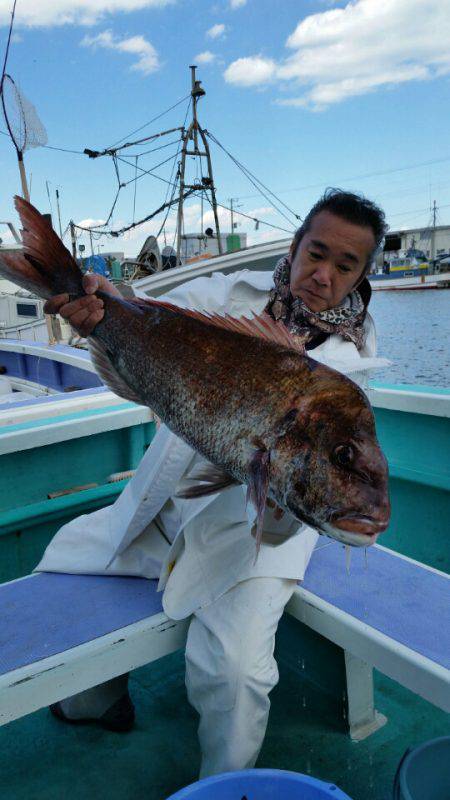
(43,759)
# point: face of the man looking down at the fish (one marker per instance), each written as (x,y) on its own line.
(330,260)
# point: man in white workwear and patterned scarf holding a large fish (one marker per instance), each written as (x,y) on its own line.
(202,550)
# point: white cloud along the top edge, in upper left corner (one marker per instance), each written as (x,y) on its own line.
(44,13)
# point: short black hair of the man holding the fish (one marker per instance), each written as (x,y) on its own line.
(352,208)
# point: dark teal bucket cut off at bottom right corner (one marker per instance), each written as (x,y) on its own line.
(424,772)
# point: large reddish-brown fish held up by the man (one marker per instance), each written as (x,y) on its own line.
(242,392)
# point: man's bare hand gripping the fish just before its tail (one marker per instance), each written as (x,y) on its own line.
(86,312)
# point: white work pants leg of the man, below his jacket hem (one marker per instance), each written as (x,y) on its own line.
(230,670)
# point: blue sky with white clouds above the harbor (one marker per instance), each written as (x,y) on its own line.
(304,93)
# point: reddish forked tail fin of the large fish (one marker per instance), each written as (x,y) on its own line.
(45,266)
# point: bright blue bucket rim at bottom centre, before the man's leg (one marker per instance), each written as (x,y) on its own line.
(263,784)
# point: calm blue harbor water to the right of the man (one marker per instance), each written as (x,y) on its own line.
(413,330)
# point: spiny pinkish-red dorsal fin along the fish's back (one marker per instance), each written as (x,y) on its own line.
(260,326)
